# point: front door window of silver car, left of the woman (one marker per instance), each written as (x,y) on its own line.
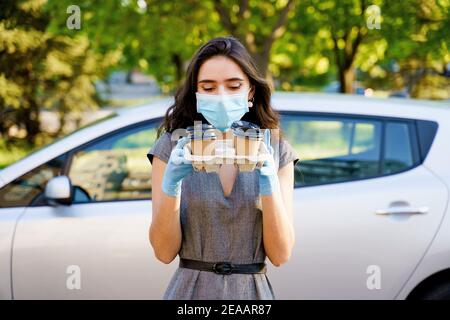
(116,167)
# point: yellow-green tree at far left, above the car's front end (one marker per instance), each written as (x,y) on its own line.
(39,68)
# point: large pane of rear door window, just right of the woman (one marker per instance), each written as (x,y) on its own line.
(333,149)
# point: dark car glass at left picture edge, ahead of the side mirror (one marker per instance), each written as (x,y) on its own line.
(23,190)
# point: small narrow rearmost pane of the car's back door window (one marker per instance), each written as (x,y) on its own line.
(398,154)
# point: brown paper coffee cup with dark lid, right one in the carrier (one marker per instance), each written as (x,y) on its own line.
(247,138)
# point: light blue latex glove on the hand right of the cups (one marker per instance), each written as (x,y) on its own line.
(268,178)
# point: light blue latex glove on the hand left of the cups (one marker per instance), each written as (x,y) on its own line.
(177,168)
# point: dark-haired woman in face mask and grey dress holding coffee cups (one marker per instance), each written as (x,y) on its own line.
(222,225)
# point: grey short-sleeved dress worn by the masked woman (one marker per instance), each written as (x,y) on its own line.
(217,228)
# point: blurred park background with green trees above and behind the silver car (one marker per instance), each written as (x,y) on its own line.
(64,64)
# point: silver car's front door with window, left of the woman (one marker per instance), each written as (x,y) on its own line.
(98,247)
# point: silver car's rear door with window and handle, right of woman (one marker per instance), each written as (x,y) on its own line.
(365,210)
